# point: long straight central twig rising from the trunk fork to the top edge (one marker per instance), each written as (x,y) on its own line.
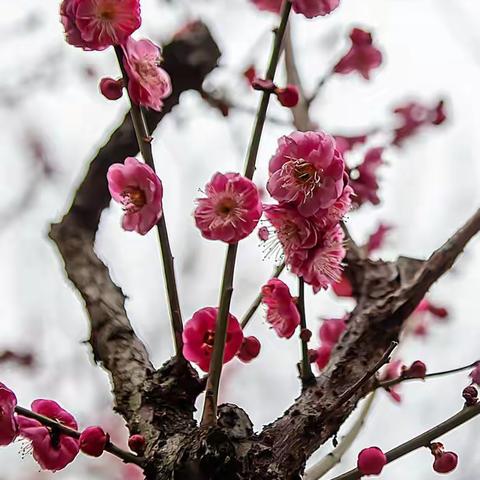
(209,416)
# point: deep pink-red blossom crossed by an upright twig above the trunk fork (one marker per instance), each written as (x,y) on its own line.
(199,336)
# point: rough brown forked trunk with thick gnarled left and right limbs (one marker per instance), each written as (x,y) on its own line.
(160,404)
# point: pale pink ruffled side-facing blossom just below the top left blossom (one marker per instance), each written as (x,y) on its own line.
(148,83)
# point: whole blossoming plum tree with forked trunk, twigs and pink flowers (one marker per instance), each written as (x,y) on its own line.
(313,186)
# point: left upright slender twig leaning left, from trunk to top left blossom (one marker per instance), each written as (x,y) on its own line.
(145,146)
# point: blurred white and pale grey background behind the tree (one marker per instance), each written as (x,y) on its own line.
(54,120)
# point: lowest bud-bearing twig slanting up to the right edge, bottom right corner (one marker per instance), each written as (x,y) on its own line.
(422,440)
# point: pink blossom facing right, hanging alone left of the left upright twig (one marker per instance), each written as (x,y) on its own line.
(138,189)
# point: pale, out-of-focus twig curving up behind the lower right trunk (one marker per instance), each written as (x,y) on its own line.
(322,467)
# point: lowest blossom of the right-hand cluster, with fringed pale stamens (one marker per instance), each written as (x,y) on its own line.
(322,265)
